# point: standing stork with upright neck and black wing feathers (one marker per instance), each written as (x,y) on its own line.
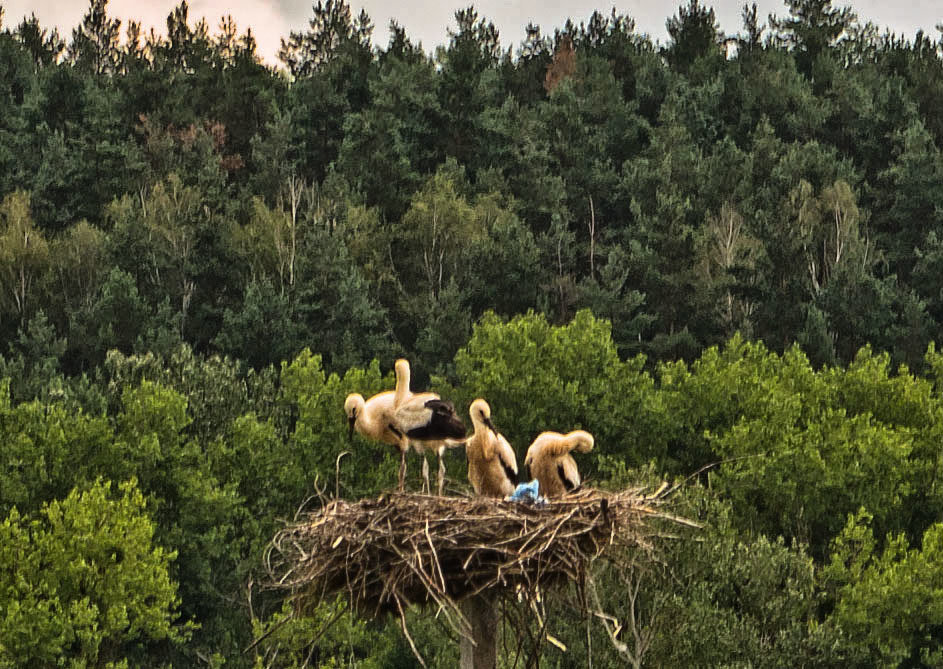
(425,420)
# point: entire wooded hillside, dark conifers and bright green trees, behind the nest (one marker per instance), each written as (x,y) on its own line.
(721,254)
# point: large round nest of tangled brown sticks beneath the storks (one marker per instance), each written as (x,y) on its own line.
(405,548)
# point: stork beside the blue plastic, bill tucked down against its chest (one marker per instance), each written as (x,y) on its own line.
(492,466)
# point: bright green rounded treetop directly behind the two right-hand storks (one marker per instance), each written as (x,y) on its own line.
(539,377)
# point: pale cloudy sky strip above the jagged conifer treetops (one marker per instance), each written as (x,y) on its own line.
(427,21)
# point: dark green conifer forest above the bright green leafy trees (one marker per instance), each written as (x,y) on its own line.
(625,171)
